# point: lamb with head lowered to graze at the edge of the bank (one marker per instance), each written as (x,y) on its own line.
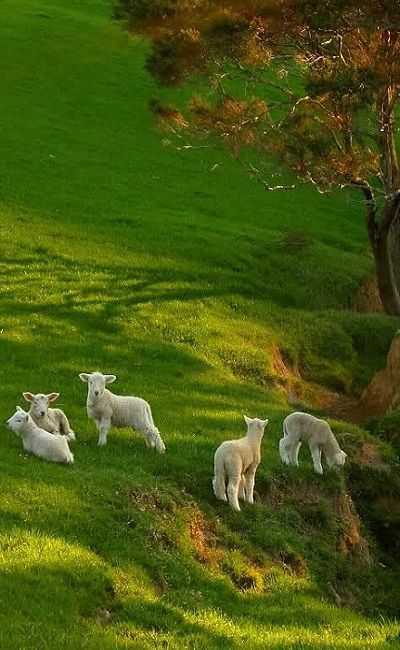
(303,427)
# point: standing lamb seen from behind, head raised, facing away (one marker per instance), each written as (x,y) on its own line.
(238,460)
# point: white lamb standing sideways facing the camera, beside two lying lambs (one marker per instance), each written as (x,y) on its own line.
(107,409)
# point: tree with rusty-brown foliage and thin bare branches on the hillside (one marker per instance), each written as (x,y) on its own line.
(313,83)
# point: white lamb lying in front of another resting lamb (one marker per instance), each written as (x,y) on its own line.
(37,441)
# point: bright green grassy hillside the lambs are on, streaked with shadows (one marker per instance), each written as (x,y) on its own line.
(123,256)
